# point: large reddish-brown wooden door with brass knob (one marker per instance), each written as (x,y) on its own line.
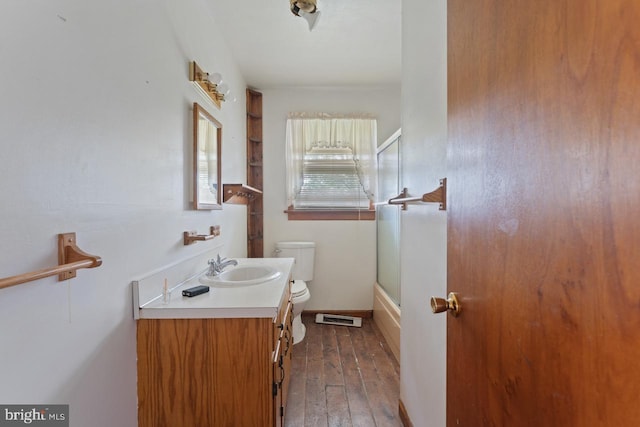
(544,212)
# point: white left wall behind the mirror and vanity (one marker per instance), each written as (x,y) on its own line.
(95,131)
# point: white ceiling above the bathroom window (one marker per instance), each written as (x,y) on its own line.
(354,42)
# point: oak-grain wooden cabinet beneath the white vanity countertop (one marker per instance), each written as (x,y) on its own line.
(214,372)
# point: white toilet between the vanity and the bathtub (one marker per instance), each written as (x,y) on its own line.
(303,253)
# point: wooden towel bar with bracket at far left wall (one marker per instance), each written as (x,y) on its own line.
(70,259)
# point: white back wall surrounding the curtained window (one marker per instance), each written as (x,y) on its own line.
(345,264)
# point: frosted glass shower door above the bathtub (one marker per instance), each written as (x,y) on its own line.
(388,218)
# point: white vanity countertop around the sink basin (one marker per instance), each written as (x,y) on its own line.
(260,300)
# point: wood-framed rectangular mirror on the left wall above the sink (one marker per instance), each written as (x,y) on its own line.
(207,141)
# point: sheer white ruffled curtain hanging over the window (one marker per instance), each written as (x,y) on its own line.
(306,131)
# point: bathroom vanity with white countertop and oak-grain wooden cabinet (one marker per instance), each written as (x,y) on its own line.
(222,358)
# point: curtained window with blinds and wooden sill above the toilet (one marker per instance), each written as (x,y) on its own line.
(331,166)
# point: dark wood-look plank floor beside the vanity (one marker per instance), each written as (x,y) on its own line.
(343,376)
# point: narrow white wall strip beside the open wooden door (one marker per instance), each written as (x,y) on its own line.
(423,238)
